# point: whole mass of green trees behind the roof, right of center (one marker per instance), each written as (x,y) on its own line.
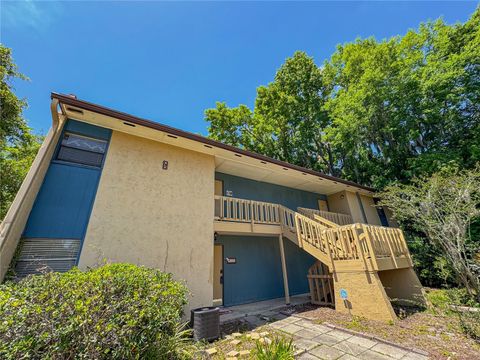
(376,112)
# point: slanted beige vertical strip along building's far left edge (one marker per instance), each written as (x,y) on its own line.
(12,225)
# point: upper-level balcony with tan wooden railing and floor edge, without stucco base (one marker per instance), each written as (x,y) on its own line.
(332,238)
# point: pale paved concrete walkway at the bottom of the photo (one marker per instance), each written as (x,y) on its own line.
(314,342)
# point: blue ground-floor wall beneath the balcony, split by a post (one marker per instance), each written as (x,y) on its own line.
(257,274)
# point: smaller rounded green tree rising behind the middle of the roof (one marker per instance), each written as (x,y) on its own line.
(288,120)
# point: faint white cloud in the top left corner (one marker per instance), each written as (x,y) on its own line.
(29,14)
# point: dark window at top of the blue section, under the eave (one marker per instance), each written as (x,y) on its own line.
(82,150)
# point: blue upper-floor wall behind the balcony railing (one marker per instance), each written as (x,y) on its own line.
(262,191)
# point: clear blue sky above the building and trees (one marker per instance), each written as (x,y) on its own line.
(168,62)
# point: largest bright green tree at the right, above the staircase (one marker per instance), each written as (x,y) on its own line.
(408,105)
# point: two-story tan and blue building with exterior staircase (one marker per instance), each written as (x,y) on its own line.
(237,226)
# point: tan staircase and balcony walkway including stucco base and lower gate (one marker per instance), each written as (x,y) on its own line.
(351,256)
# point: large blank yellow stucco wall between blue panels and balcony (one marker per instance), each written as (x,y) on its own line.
(153,217)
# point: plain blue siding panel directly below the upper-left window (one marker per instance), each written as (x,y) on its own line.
(63,204)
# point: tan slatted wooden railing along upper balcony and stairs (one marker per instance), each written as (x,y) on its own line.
(347,242)
